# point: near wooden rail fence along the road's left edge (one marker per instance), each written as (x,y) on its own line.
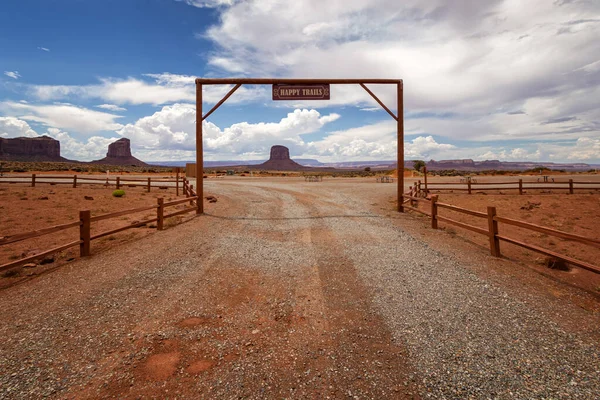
(85,224)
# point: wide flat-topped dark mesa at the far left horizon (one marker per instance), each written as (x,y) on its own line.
(42,148)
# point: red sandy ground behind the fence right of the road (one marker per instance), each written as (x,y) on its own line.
(578,214)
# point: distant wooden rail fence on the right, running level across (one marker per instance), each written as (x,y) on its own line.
(520,185)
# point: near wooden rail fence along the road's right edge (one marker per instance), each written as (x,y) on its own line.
(433,207)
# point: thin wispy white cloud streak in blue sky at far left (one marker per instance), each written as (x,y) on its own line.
(63,116)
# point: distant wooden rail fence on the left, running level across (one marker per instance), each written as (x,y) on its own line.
(75,180)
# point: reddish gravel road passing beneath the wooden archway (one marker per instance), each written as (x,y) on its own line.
(287,289)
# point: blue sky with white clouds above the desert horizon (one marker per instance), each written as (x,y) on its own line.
(499,79)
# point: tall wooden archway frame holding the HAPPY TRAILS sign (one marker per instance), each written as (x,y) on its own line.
(200,82)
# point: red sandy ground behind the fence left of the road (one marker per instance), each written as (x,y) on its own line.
(25,209)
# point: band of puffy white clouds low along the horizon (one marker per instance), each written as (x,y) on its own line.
(169,135)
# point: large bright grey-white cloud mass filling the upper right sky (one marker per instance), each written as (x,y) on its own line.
(470,59)
